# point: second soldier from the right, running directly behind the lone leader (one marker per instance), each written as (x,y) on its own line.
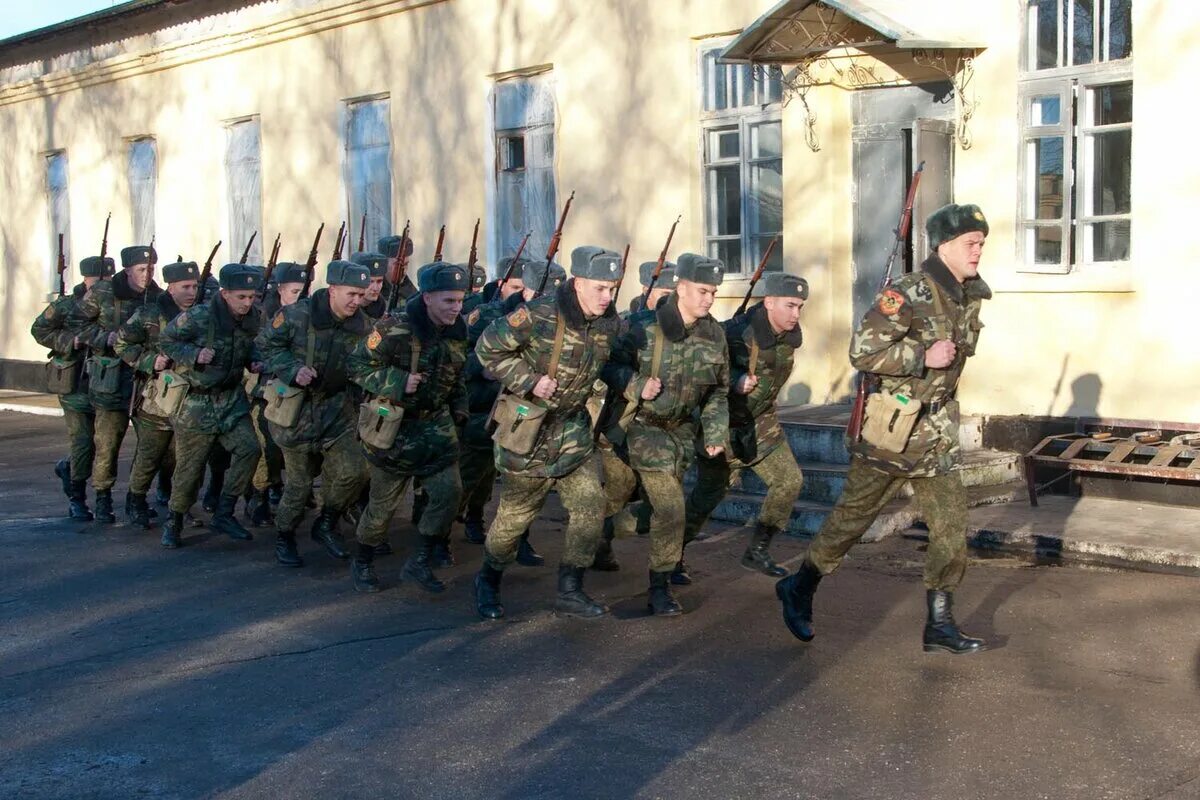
(763,342)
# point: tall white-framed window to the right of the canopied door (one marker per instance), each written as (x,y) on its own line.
(1077,124)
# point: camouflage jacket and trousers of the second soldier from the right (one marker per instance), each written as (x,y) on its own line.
(757,440)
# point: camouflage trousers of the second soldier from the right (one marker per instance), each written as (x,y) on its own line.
(778,471)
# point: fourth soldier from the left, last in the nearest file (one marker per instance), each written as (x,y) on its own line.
(212,346)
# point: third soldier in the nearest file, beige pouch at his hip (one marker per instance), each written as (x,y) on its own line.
(307,345)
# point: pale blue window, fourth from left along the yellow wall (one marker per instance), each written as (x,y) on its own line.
(369,171)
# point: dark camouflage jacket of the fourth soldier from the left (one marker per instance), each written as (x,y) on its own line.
(217,401)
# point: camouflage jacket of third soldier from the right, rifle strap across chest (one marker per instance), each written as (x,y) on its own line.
(695,376)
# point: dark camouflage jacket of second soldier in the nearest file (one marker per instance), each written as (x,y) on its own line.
(428,442)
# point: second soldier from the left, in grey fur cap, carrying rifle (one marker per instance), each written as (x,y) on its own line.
(105,309)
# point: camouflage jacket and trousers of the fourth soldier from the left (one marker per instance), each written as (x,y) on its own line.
(217,410)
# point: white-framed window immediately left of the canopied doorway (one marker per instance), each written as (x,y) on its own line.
(743,152)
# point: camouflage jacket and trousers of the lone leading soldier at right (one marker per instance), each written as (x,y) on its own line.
(909,317)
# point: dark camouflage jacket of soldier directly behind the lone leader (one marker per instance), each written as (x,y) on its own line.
(754,425)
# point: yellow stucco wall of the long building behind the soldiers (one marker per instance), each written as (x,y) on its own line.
(628,142)
